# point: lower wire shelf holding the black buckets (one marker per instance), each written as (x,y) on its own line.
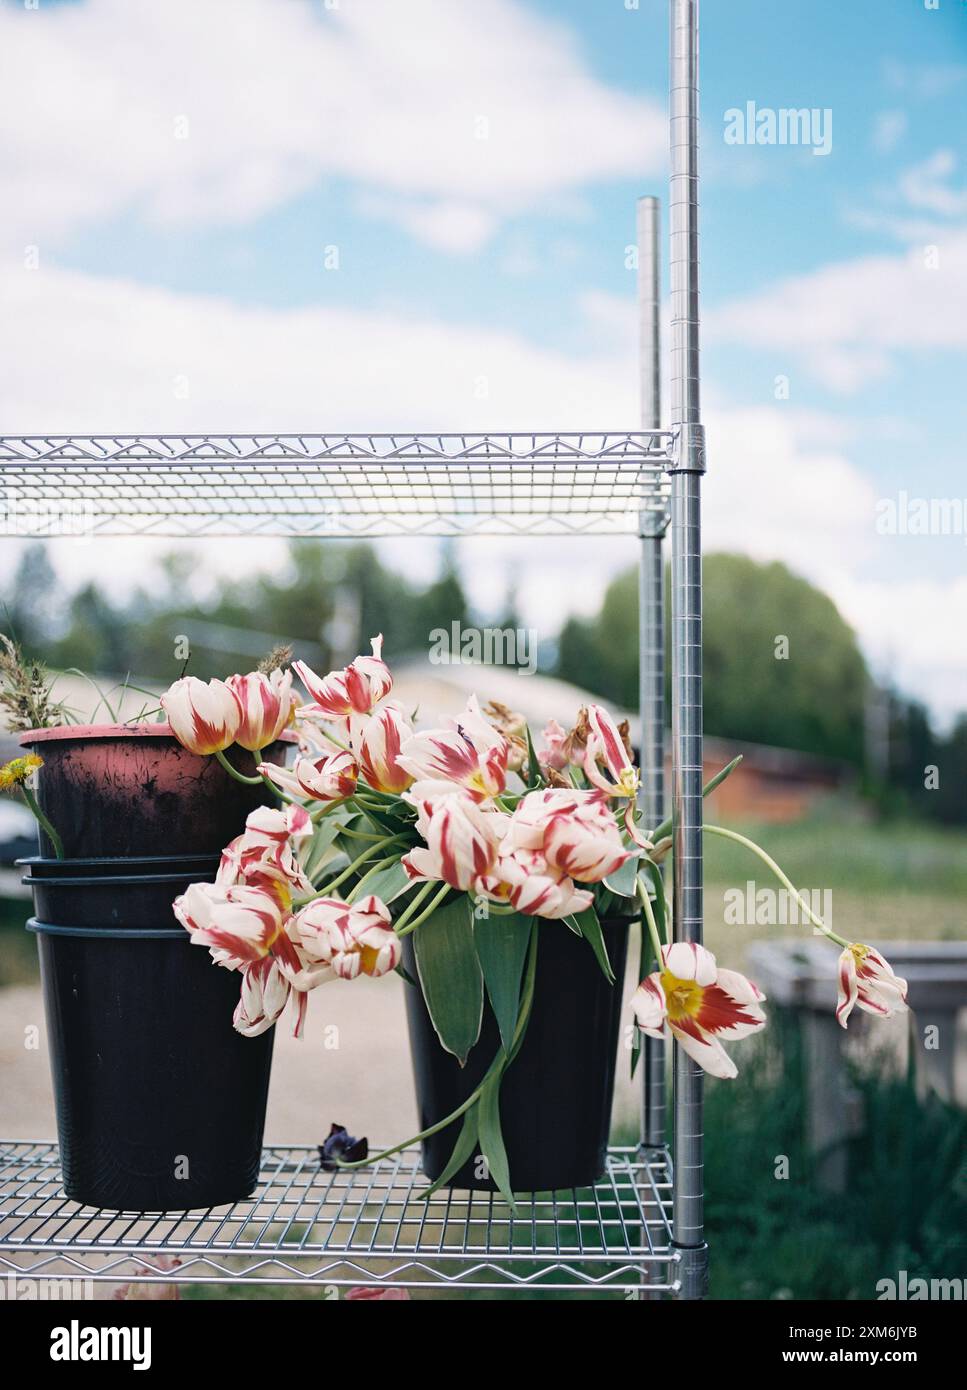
(370,1227)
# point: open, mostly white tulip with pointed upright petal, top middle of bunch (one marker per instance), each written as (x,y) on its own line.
(472,755)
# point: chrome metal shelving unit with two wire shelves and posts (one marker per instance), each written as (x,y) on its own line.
(641,1228)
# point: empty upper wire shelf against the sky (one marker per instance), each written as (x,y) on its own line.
(331,486)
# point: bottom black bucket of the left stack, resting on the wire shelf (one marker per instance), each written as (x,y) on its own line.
(160,1103)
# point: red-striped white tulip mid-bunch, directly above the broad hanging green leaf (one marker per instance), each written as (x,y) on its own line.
(463,840)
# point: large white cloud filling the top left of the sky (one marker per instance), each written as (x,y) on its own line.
(455,115)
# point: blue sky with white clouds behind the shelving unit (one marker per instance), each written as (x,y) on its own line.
(309,127)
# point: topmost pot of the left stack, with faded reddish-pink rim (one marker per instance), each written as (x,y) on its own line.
(133,790)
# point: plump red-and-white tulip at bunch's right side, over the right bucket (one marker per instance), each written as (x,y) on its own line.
(575,831)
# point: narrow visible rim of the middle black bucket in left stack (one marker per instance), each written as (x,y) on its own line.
(131,901)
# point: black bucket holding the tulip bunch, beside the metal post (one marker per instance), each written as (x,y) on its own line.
(556,1096)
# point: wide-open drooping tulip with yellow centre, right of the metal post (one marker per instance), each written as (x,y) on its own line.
(702,1006)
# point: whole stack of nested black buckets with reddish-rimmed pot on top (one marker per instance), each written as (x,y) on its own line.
(160,1103)
